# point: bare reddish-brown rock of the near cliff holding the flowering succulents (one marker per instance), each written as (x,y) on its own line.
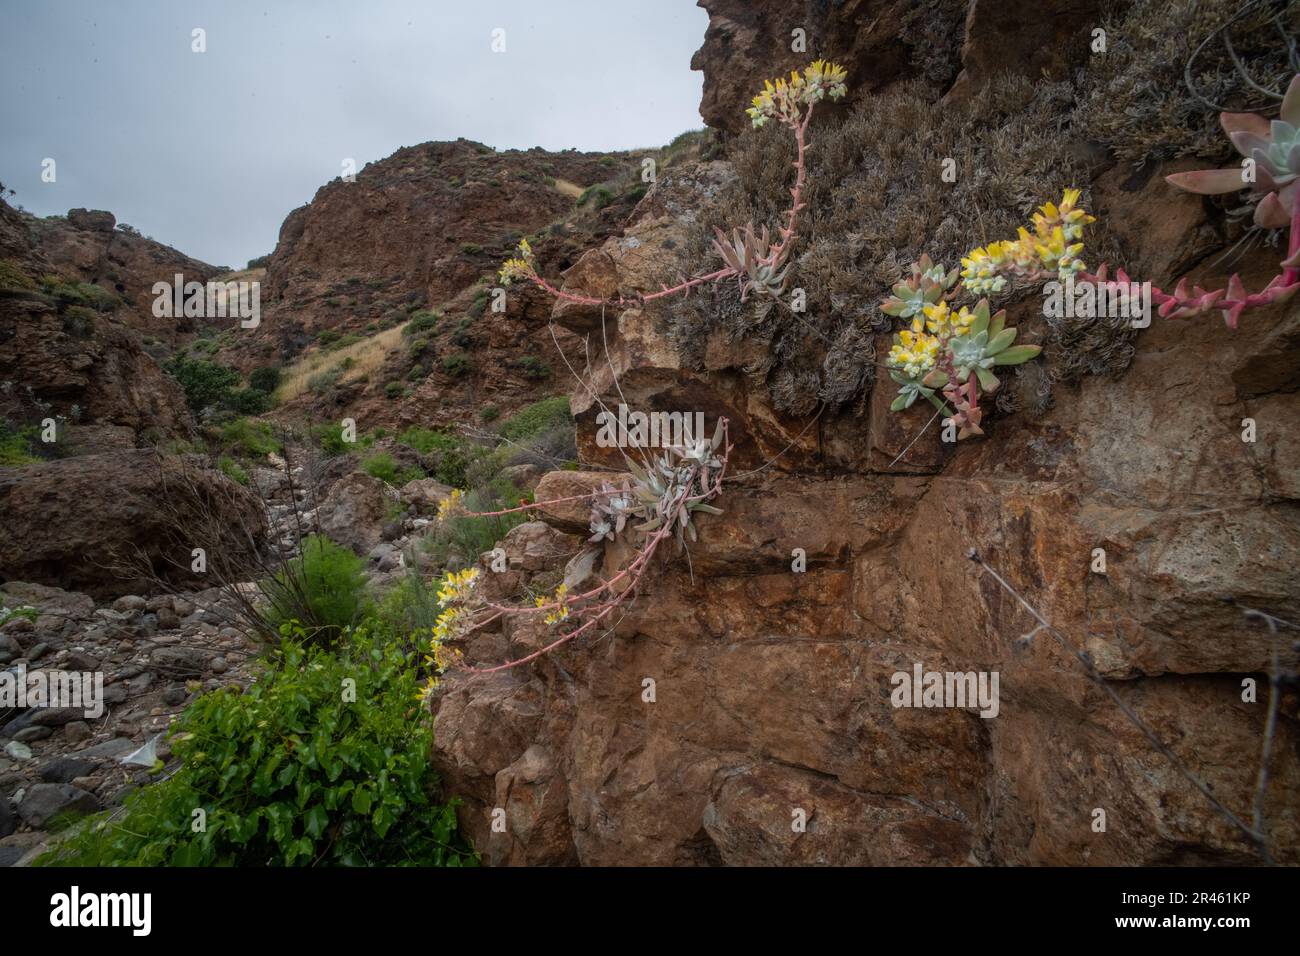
(740,695)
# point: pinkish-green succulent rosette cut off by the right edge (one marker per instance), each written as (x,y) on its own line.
(1275,149)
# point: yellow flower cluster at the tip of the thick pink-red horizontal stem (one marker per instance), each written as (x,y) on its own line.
(1055,246)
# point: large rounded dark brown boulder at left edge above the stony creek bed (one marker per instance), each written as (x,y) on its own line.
(114,524)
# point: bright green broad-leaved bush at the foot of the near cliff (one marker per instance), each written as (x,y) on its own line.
(318,763)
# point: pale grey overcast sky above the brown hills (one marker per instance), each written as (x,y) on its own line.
(210,152)
